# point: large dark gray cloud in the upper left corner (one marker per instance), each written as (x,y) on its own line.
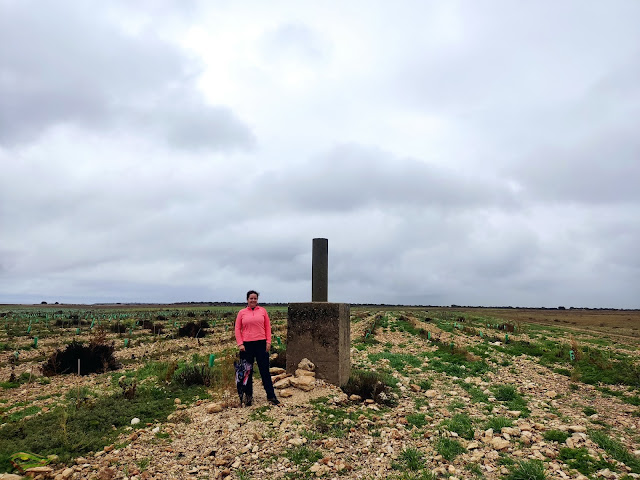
(68,64)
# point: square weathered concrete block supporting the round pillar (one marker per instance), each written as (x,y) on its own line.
(320,331)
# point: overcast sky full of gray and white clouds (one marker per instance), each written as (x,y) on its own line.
(476,153)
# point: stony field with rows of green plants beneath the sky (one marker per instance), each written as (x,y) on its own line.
(434,393)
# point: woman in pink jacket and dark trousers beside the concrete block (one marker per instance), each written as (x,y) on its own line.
(253,335)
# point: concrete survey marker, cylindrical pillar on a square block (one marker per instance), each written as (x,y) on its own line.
(320,330)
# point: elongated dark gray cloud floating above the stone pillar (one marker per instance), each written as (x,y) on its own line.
(352,177)
